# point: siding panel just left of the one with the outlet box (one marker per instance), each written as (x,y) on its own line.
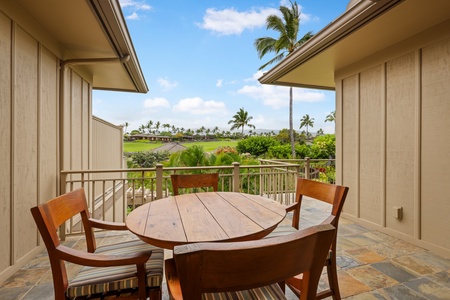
(370,146)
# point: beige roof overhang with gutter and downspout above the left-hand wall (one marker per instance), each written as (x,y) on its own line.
(93,31)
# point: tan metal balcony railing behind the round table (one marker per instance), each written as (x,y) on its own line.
(112,193)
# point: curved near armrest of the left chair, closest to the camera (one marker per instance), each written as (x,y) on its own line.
(98,260)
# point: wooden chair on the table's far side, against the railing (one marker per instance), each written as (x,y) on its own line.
(194,181)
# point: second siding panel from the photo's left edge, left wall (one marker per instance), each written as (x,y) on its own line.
(25,142)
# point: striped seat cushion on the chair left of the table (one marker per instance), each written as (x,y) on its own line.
(94,280)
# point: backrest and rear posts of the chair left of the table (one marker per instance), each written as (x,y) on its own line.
(52,214)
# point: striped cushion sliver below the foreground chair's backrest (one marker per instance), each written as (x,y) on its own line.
(263,293)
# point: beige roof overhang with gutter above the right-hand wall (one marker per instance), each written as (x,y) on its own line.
(363,30)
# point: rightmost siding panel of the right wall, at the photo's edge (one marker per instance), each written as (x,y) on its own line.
(435,188)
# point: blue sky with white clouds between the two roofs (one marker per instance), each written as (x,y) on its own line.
(201,66)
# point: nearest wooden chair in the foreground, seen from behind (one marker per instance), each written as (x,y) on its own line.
(249,270)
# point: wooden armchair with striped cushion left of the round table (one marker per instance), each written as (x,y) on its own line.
(131,265)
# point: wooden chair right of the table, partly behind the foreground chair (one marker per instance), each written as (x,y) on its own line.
(329,193)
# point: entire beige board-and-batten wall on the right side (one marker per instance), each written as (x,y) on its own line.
(393,114)
